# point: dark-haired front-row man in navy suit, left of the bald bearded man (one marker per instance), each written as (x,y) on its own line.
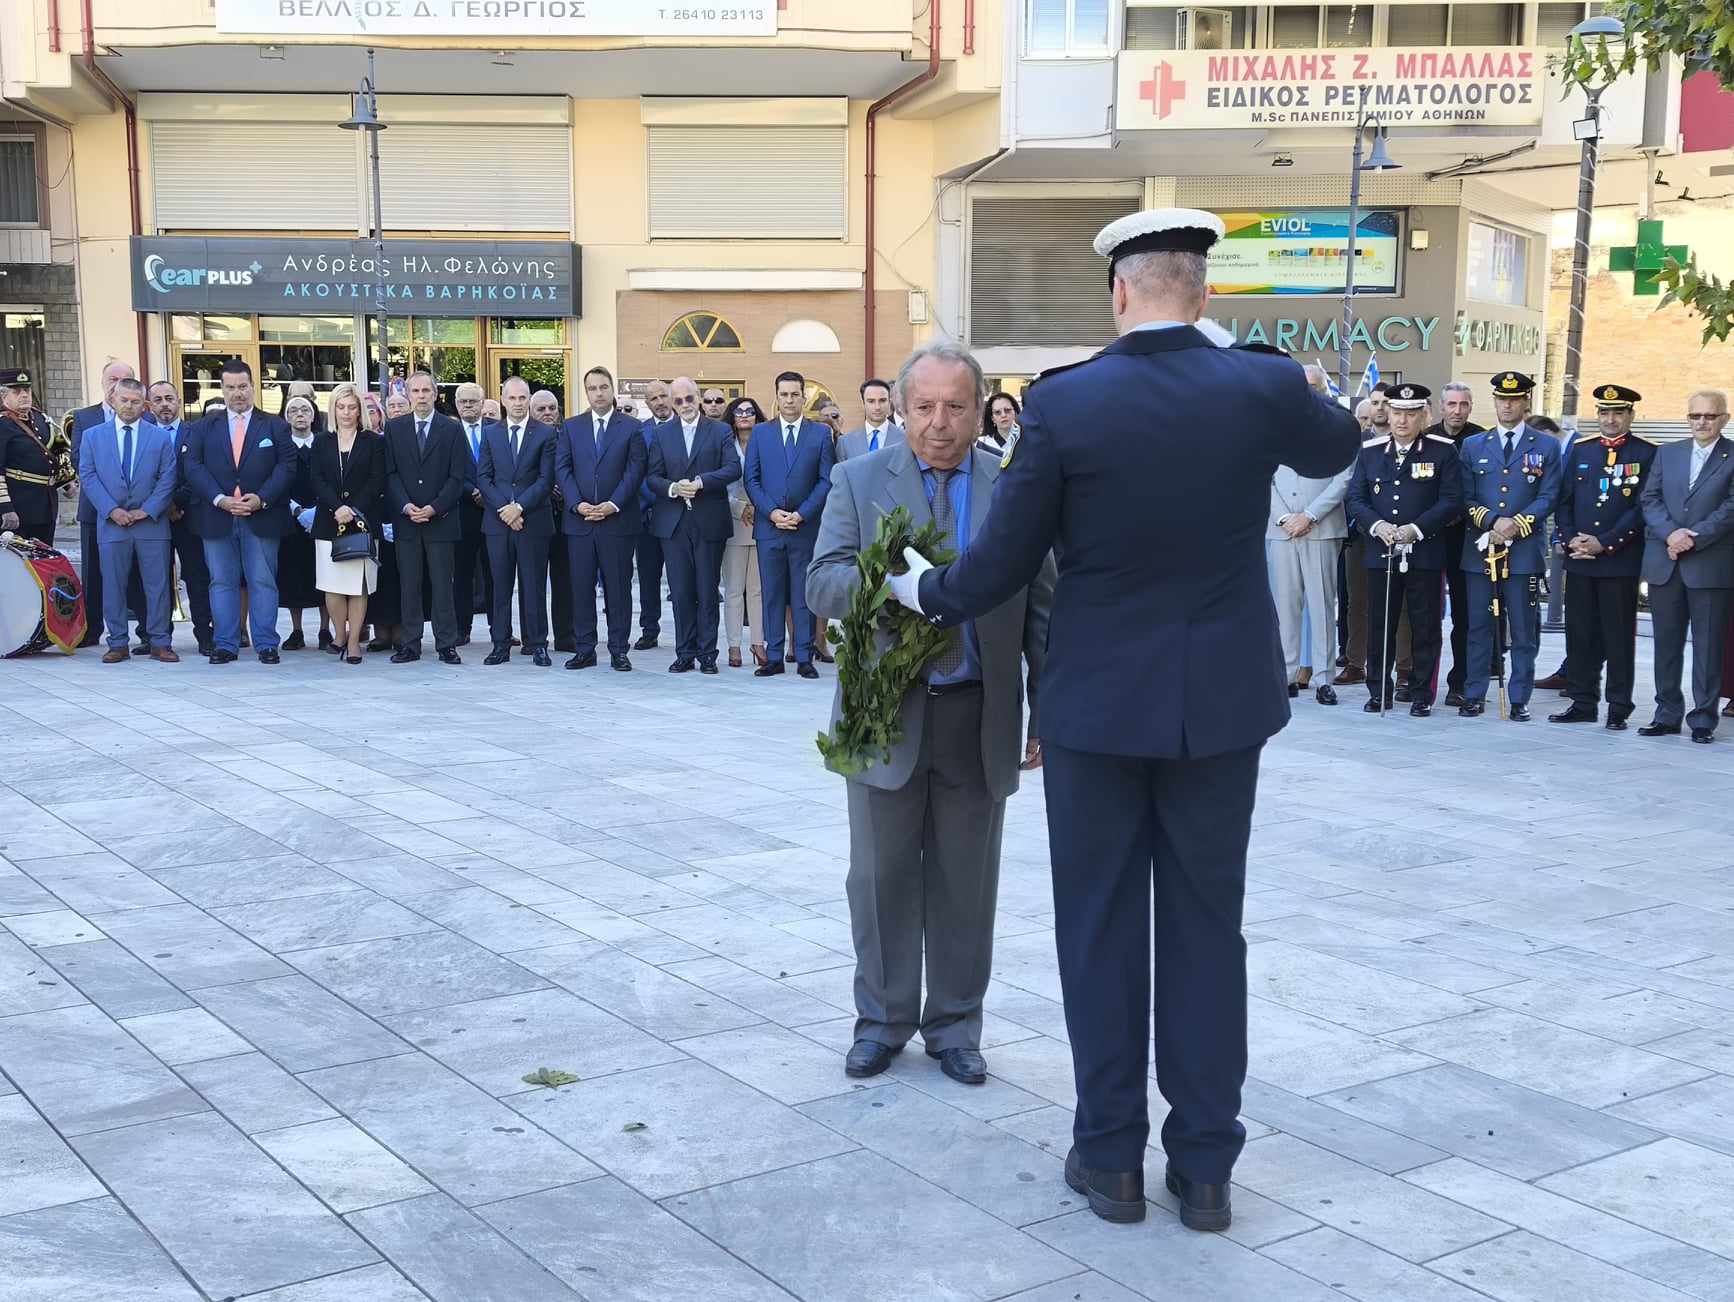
(601,465)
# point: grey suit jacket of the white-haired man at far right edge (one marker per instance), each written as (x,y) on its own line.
(1707,509)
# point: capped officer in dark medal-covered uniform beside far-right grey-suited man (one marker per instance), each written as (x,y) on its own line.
(1600,523)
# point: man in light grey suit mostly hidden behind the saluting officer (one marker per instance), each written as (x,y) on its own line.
(1303,538)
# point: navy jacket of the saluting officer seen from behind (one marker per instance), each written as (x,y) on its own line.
(1163,641)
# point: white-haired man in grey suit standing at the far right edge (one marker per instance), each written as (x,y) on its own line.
(1690,564)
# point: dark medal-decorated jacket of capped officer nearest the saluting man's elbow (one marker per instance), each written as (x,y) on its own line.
(1424,490)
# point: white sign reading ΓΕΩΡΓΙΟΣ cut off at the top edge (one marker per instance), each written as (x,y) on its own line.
(495,18)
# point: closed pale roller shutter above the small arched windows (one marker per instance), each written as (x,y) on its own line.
(811,200)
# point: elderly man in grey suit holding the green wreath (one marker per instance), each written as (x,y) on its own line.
(925,828)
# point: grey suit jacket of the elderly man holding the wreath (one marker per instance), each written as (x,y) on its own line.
(861,493)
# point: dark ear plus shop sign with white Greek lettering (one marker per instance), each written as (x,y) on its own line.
(521,278)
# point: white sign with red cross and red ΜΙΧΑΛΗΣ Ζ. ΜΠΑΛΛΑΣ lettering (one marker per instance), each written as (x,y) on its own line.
(1260,89)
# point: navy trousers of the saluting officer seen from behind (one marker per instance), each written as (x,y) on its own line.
(1124,830)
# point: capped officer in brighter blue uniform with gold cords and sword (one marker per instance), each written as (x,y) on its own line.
(1511,486)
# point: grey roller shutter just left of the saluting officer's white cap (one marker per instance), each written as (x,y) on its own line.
(1034,278)
